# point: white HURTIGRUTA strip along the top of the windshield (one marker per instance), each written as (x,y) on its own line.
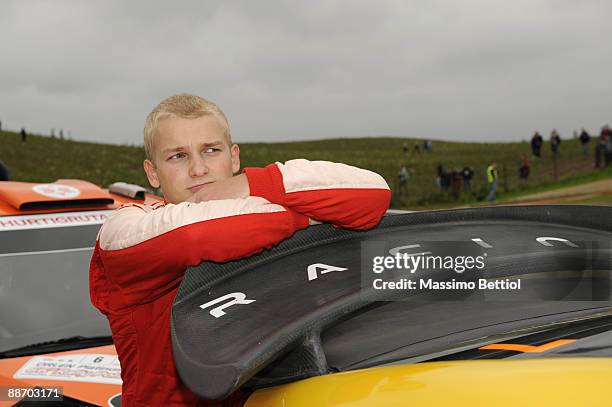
(53,220)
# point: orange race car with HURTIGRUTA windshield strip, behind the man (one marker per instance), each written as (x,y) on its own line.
(51,337)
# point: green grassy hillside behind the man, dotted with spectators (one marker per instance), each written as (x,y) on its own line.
(44,159)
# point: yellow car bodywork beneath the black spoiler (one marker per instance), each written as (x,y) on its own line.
(501,383)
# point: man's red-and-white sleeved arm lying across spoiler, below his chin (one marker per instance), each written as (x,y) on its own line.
(145,251)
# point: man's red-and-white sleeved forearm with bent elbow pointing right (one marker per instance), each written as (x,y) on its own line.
(340,194)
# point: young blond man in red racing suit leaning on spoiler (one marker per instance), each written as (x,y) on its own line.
(209,214)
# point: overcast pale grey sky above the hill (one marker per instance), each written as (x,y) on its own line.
(458,70)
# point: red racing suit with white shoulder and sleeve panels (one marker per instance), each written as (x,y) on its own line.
(142,252)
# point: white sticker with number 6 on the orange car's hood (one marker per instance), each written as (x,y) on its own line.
(91,368)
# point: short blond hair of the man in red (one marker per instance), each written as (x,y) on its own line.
(186,106)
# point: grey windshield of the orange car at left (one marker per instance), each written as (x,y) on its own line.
(44,294)
